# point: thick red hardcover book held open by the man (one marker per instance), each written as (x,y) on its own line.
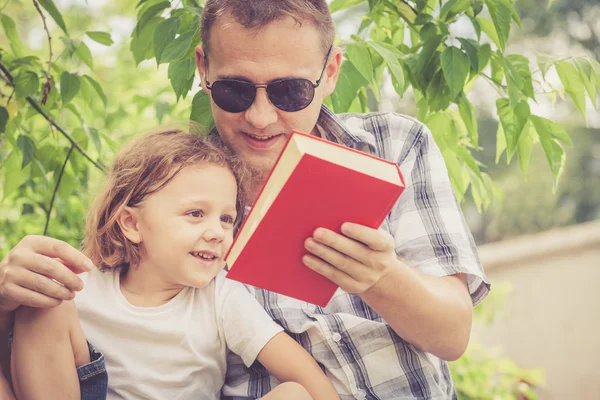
(314,183)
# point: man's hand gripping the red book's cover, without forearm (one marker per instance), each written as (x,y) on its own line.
(356,260)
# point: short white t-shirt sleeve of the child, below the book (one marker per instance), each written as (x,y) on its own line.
(246,326)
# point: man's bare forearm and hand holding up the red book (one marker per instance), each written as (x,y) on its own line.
(432,313)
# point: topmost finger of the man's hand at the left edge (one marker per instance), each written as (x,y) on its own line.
(54,248)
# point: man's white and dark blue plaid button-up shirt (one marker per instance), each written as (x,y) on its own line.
(361,354)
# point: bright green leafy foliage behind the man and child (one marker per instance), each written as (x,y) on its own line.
(77,81)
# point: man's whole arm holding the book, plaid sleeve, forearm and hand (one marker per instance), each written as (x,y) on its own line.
(424,298)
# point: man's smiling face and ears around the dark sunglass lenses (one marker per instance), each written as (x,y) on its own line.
(283,49)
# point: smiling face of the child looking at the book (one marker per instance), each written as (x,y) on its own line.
(186,227)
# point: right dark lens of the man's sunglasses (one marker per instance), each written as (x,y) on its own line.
(291,94)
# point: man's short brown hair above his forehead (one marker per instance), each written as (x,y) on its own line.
(256,14)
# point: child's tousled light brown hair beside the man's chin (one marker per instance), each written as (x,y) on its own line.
(141,169)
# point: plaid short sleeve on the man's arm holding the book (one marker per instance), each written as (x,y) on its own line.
(427,223)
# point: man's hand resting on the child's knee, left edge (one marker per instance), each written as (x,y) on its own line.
(40,272)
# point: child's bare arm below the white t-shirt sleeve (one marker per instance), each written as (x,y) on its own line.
(289,362)
